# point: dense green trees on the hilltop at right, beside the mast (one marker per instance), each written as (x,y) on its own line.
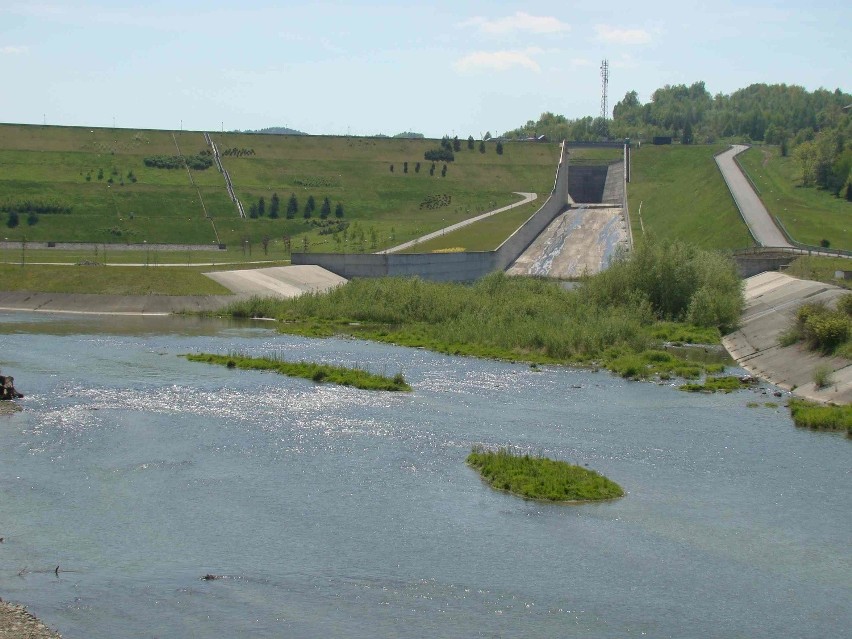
(816,127)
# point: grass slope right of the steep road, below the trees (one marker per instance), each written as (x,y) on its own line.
(810,215)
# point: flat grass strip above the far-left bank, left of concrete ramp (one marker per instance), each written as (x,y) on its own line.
(111,280)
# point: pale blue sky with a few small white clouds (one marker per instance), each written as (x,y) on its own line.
(364,68)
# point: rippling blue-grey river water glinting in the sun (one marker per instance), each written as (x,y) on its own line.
(336,512)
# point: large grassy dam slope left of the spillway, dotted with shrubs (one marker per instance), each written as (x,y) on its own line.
(50,164)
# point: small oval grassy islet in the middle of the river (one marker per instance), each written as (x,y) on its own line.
(541,478)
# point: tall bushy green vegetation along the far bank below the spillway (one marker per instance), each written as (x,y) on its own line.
(614,315)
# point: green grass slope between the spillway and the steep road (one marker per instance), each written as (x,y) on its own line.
(683,196)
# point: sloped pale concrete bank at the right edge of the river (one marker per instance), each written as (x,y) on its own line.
(771,303)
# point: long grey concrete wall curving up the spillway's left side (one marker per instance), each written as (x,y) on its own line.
(461,267)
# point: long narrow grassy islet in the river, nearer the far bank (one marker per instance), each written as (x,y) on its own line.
(319,373)
